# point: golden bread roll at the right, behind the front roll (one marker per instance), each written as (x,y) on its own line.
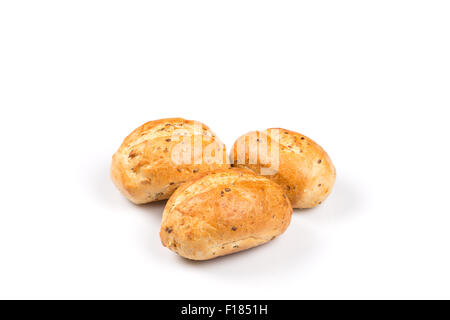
(292,160)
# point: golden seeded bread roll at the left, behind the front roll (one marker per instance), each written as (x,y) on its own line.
(160,155)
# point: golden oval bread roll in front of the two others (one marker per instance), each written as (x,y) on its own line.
(223,212)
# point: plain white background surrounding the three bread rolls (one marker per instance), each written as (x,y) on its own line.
(368,80)
